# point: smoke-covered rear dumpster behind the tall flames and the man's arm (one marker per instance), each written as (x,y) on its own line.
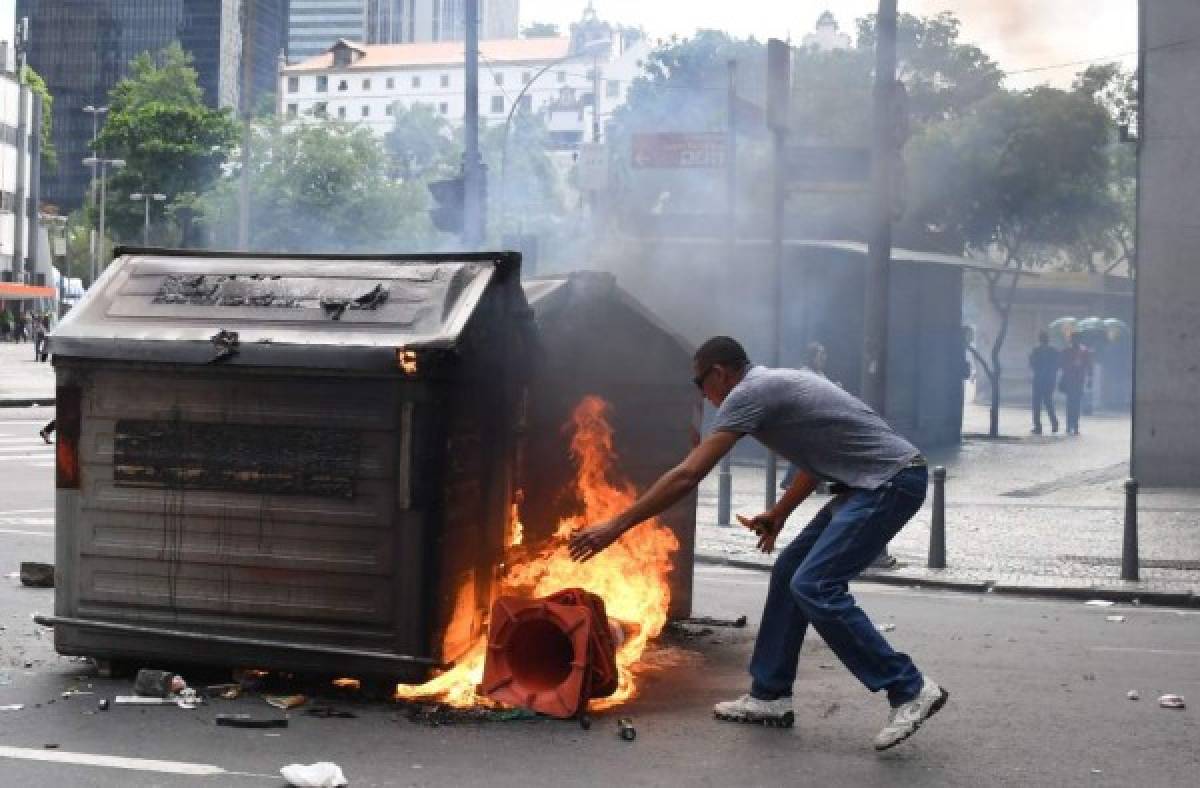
(596,339)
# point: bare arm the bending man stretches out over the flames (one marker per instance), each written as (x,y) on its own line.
(669,490)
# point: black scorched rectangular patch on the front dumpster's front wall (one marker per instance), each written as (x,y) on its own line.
(251,459)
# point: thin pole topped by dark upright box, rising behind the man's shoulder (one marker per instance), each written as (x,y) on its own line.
(779,88)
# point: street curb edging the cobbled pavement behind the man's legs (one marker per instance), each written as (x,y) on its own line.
(1126,597)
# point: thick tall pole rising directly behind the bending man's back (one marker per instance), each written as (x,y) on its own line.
(879,256)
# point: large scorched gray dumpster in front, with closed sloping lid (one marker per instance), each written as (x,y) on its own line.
(302,464)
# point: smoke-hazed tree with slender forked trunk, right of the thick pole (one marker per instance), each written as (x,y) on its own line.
(1019,178)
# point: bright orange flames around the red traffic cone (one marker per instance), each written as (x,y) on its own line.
(631,576)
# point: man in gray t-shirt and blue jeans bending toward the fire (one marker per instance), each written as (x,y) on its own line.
(829,435)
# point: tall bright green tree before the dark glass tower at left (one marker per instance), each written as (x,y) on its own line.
(171,142)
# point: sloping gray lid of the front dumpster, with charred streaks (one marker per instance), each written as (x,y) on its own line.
(308,311)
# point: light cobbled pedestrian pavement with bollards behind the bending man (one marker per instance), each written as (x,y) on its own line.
(1024,513)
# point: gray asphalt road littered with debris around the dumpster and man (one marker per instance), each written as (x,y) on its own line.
(1039,697)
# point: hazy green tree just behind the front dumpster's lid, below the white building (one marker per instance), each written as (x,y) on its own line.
(320,188)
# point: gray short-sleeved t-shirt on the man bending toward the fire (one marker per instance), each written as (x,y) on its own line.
(815,425)
